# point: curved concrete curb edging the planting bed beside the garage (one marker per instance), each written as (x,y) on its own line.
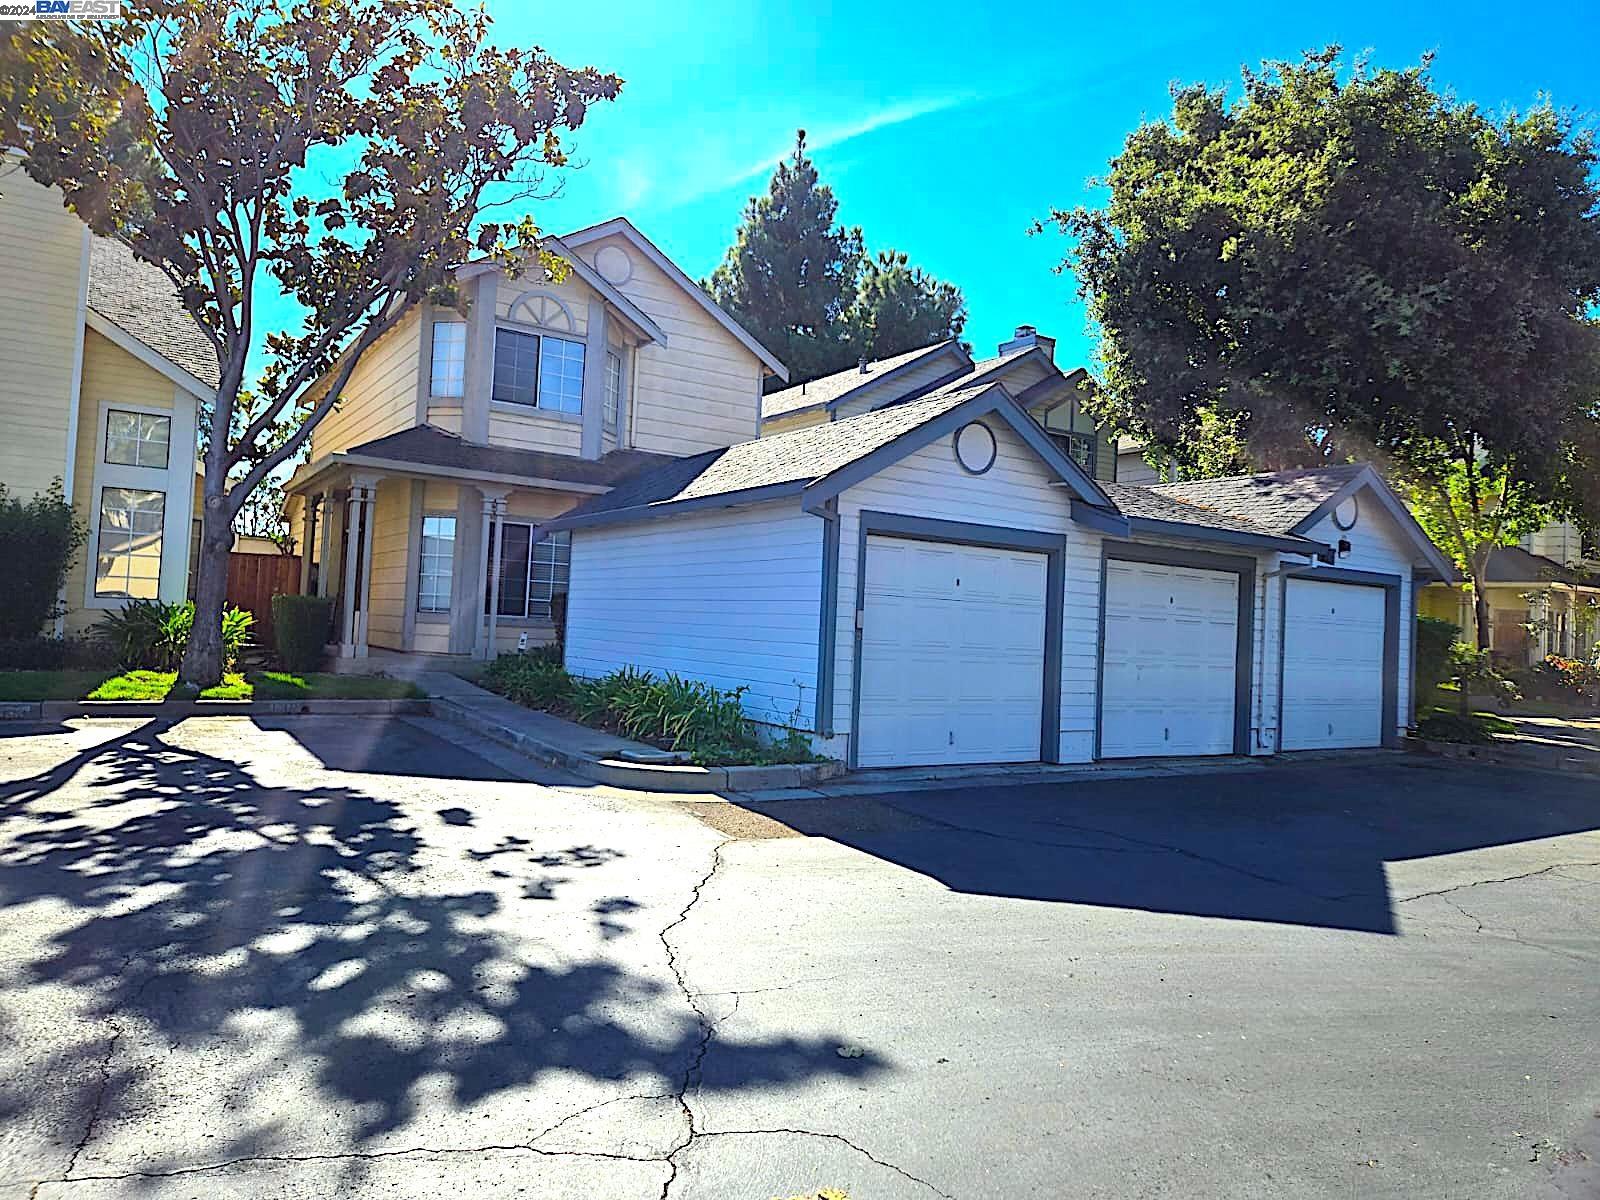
(682,778)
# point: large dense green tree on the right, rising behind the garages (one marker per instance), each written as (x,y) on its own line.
(1348,263)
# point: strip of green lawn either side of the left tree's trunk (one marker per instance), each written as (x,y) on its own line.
(154,686)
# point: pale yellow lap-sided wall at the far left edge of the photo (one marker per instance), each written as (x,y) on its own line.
(42,249)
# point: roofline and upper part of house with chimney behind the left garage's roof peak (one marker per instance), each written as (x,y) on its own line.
(1025,366)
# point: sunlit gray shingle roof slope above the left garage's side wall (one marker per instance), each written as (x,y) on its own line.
(799,457)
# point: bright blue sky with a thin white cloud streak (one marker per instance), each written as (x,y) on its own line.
(946,129)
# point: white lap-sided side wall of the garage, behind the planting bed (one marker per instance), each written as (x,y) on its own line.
(727,598)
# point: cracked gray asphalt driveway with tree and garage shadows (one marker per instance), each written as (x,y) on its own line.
(335,958)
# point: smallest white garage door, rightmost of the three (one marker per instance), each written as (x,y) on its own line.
(1334,666)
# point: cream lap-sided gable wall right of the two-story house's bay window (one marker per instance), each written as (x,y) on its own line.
(698,391)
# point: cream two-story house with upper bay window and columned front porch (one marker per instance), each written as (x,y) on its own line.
(462,433)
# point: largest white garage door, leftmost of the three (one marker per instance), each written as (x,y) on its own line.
(953,655)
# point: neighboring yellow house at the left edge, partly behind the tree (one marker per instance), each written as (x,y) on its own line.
(102,380)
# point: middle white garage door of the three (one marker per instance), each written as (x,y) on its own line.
(1170,660)
